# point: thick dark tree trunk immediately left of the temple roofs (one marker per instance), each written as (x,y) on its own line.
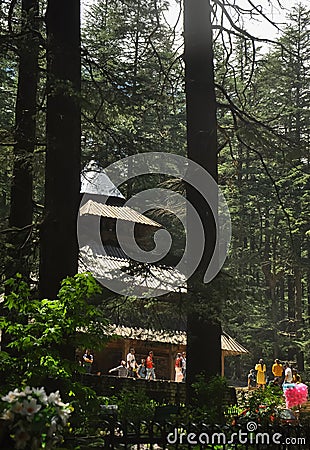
(59,246)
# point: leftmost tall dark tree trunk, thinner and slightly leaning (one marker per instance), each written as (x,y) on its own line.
(21,206)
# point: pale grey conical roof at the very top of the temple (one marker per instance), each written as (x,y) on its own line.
(95,181)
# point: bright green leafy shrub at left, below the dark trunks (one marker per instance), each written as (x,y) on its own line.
(43,334)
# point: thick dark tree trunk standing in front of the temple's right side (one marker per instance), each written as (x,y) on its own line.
(203,331)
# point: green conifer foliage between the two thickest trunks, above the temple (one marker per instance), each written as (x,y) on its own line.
(133,99)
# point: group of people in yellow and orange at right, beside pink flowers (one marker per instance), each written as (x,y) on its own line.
(282,373)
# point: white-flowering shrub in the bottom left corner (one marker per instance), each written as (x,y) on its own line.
(34,419)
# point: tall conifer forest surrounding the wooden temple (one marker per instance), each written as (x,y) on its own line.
(113,84)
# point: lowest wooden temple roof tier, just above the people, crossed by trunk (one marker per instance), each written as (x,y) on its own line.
(229,345)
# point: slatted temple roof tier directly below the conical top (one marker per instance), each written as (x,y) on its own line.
(116,212)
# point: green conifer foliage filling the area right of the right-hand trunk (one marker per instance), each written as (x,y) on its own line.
(264,173)
